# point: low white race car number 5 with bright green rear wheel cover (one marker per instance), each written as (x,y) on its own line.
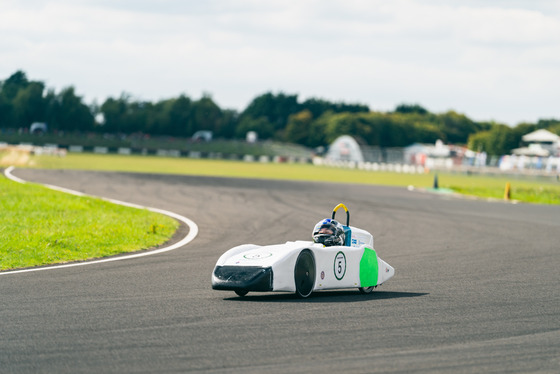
(305,266)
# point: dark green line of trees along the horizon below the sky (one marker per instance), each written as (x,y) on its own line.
(312,123)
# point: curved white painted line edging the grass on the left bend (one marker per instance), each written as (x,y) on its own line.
(193,229)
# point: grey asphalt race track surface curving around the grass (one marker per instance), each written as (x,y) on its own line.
(475,289)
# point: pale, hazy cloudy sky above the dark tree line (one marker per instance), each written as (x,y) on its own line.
(490,60)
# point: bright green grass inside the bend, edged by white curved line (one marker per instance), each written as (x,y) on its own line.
(40,226)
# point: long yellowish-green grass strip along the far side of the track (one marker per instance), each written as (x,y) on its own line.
(544,191)
